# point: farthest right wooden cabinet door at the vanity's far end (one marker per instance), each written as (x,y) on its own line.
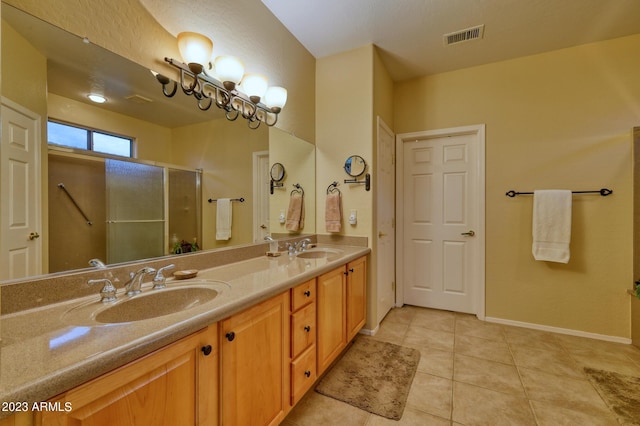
(356,296)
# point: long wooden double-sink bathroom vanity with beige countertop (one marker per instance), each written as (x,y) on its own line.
(245,357)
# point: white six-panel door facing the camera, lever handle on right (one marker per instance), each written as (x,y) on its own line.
(441,219)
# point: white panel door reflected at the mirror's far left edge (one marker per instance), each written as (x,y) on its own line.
(20,242)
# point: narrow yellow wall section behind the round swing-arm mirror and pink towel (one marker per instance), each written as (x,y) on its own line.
(344,94)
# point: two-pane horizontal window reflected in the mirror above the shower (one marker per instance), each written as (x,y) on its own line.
(91,140)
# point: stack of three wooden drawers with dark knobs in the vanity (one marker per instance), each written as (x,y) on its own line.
(303,339)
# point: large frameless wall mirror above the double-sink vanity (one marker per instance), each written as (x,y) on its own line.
(182,157)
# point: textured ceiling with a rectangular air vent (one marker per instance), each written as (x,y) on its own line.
(410,33)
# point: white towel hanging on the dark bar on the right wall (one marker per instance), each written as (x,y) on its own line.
(552,225)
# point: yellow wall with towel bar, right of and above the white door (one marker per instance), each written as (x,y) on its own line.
(556,120)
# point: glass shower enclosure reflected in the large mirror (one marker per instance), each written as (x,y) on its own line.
(135,210)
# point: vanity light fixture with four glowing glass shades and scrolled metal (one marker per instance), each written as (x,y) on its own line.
(238,93)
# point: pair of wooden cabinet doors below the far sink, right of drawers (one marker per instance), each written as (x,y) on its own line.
(341,309)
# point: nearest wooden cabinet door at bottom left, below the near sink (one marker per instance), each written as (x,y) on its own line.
(162,388)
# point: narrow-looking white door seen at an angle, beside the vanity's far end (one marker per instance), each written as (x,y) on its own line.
(385,222)
